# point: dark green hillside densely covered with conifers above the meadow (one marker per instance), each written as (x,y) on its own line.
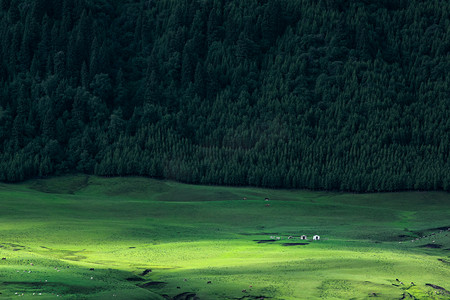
(320,94)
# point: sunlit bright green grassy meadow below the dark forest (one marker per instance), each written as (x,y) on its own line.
(122,226)
